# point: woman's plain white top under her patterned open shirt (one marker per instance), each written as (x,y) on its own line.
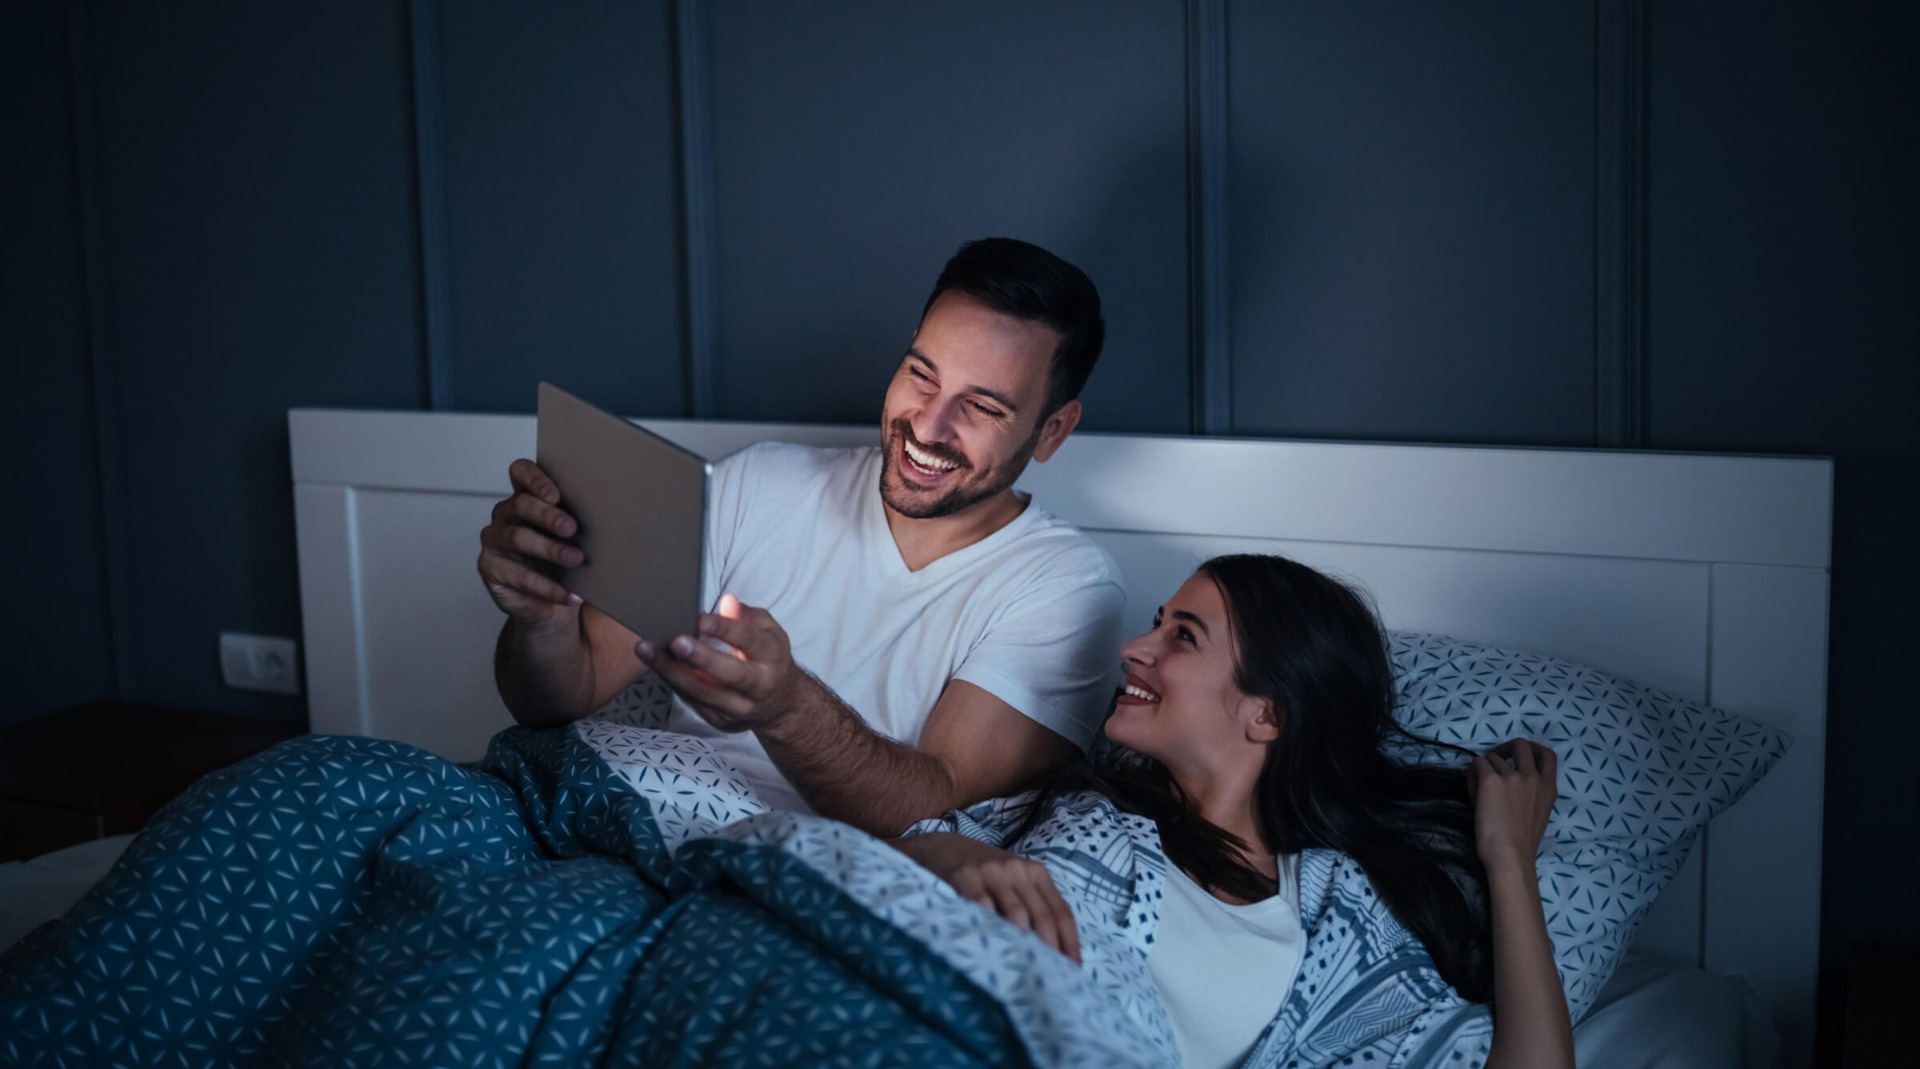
(1224,970)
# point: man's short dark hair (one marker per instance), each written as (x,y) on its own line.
(1030,283)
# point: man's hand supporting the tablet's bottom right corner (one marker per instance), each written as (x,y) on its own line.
(744,686)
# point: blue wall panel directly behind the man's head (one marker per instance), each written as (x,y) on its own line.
(857,145)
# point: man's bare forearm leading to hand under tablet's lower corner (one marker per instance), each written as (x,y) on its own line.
(850,772)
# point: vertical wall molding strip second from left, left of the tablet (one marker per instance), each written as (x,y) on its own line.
(431,204)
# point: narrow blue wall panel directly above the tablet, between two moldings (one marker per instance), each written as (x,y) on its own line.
(562,204)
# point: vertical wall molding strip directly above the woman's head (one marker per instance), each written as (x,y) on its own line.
(1211,356)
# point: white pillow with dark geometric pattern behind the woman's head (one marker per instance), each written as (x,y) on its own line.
(1641,772)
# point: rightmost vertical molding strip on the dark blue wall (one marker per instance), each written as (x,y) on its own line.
(1621,226)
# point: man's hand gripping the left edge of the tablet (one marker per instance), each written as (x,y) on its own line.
(525,536)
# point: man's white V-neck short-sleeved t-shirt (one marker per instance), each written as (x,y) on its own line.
(1030,613)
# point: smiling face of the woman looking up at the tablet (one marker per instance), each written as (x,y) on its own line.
(1182,705)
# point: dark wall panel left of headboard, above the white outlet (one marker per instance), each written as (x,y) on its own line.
(260,237)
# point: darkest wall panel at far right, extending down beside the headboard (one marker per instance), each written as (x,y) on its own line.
(1783,243)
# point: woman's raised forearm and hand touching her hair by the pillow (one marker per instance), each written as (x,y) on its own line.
(1512,790)
